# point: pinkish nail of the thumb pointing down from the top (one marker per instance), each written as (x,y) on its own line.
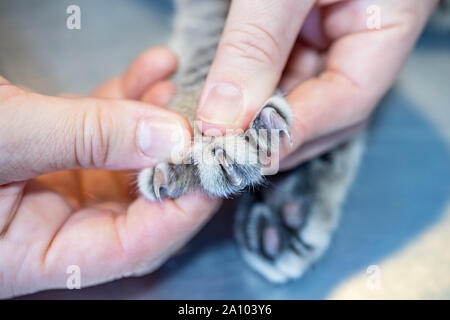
(222,105)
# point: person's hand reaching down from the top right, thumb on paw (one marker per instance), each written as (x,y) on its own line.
(322,52)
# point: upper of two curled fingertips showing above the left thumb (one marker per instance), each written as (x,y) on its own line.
(151,66)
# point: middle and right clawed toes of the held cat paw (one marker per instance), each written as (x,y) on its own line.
(228,164)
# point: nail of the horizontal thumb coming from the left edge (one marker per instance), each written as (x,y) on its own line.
(160,138)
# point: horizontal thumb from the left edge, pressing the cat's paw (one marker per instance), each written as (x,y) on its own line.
(40,134)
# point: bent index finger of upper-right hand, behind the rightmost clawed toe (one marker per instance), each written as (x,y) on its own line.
(361,65)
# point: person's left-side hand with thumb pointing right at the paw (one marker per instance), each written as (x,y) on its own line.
(89,218)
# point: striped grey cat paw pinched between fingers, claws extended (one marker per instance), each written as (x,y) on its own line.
(223,165)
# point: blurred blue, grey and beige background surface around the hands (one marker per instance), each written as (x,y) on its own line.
(396,217)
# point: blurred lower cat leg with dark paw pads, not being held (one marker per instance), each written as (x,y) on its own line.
(306,205)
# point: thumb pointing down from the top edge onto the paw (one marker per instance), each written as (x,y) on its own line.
(251,56)
